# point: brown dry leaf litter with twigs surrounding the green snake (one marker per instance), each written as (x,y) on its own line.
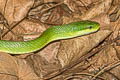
(94,56)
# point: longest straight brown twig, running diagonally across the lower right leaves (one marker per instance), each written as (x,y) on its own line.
(85,57)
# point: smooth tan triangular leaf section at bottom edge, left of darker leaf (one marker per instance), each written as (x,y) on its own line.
(25,72)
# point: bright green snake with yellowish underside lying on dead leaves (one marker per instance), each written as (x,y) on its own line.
(65,31)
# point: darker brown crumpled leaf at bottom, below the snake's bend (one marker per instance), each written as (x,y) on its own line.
(41,66)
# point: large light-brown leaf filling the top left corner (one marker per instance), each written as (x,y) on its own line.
(15,10)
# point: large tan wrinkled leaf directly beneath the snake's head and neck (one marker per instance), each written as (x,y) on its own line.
(71,50)
